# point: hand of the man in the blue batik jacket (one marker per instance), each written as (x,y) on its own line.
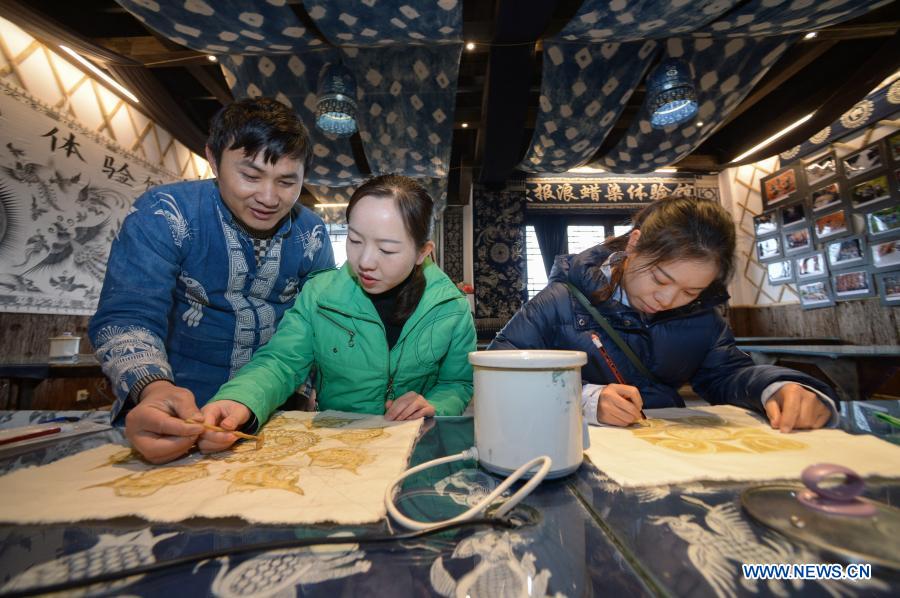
(156,427)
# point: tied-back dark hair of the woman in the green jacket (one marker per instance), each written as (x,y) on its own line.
(416,208)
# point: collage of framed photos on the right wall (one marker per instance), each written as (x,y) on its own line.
(831,225)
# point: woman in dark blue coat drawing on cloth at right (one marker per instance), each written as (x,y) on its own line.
(659,287)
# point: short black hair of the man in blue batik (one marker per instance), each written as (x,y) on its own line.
(259,124)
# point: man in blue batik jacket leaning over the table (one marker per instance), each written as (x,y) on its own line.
(202,272)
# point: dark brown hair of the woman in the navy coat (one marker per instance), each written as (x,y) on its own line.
(678,228)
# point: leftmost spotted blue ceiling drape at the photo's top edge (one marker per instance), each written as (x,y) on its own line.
(225,26)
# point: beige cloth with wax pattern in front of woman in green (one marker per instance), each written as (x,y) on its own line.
(311,468)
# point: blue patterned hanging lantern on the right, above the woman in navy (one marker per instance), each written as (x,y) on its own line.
(671,97)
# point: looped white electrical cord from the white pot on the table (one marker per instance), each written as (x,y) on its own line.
(544,461)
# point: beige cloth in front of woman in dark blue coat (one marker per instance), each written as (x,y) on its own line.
(725,443)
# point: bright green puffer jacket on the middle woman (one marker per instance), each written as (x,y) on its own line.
(334,325)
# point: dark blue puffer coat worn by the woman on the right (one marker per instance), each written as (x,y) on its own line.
(691,344)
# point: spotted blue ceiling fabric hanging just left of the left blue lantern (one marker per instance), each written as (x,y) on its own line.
(292,80)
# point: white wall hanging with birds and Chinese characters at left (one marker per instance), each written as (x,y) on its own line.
(64,191)
